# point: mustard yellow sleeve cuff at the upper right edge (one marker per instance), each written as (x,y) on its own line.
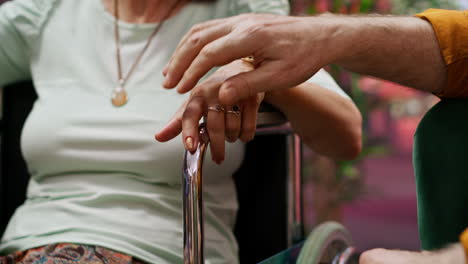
(451,29)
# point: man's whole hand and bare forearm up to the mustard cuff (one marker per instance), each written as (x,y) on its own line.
(289,50)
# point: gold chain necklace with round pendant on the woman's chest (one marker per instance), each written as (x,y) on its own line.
(119,94)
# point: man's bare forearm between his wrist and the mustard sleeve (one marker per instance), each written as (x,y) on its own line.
(399,49)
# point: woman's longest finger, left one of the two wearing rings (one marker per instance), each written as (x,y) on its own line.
(215,126)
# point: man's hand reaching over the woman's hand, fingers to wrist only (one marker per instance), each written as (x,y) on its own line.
(280,45)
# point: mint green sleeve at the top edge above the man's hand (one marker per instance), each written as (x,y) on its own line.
(279,7)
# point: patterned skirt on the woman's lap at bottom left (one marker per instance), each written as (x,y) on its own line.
(65,253)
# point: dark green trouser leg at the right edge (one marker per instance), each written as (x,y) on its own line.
(440,163)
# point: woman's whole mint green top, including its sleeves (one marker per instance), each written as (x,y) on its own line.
(97,174)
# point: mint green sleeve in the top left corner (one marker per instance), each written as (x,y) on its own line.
(20,23)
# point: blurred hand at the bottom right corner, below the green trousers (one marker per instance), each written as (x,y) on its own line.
(452,255)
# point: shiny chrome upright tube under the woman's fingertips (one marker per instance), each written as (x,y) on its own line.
(193,200)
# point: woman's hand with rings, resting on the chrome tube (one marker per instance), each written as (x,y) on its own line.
(224,122)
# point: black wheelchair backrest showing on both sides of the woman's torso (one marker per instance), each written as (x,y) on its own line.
(261,226)
